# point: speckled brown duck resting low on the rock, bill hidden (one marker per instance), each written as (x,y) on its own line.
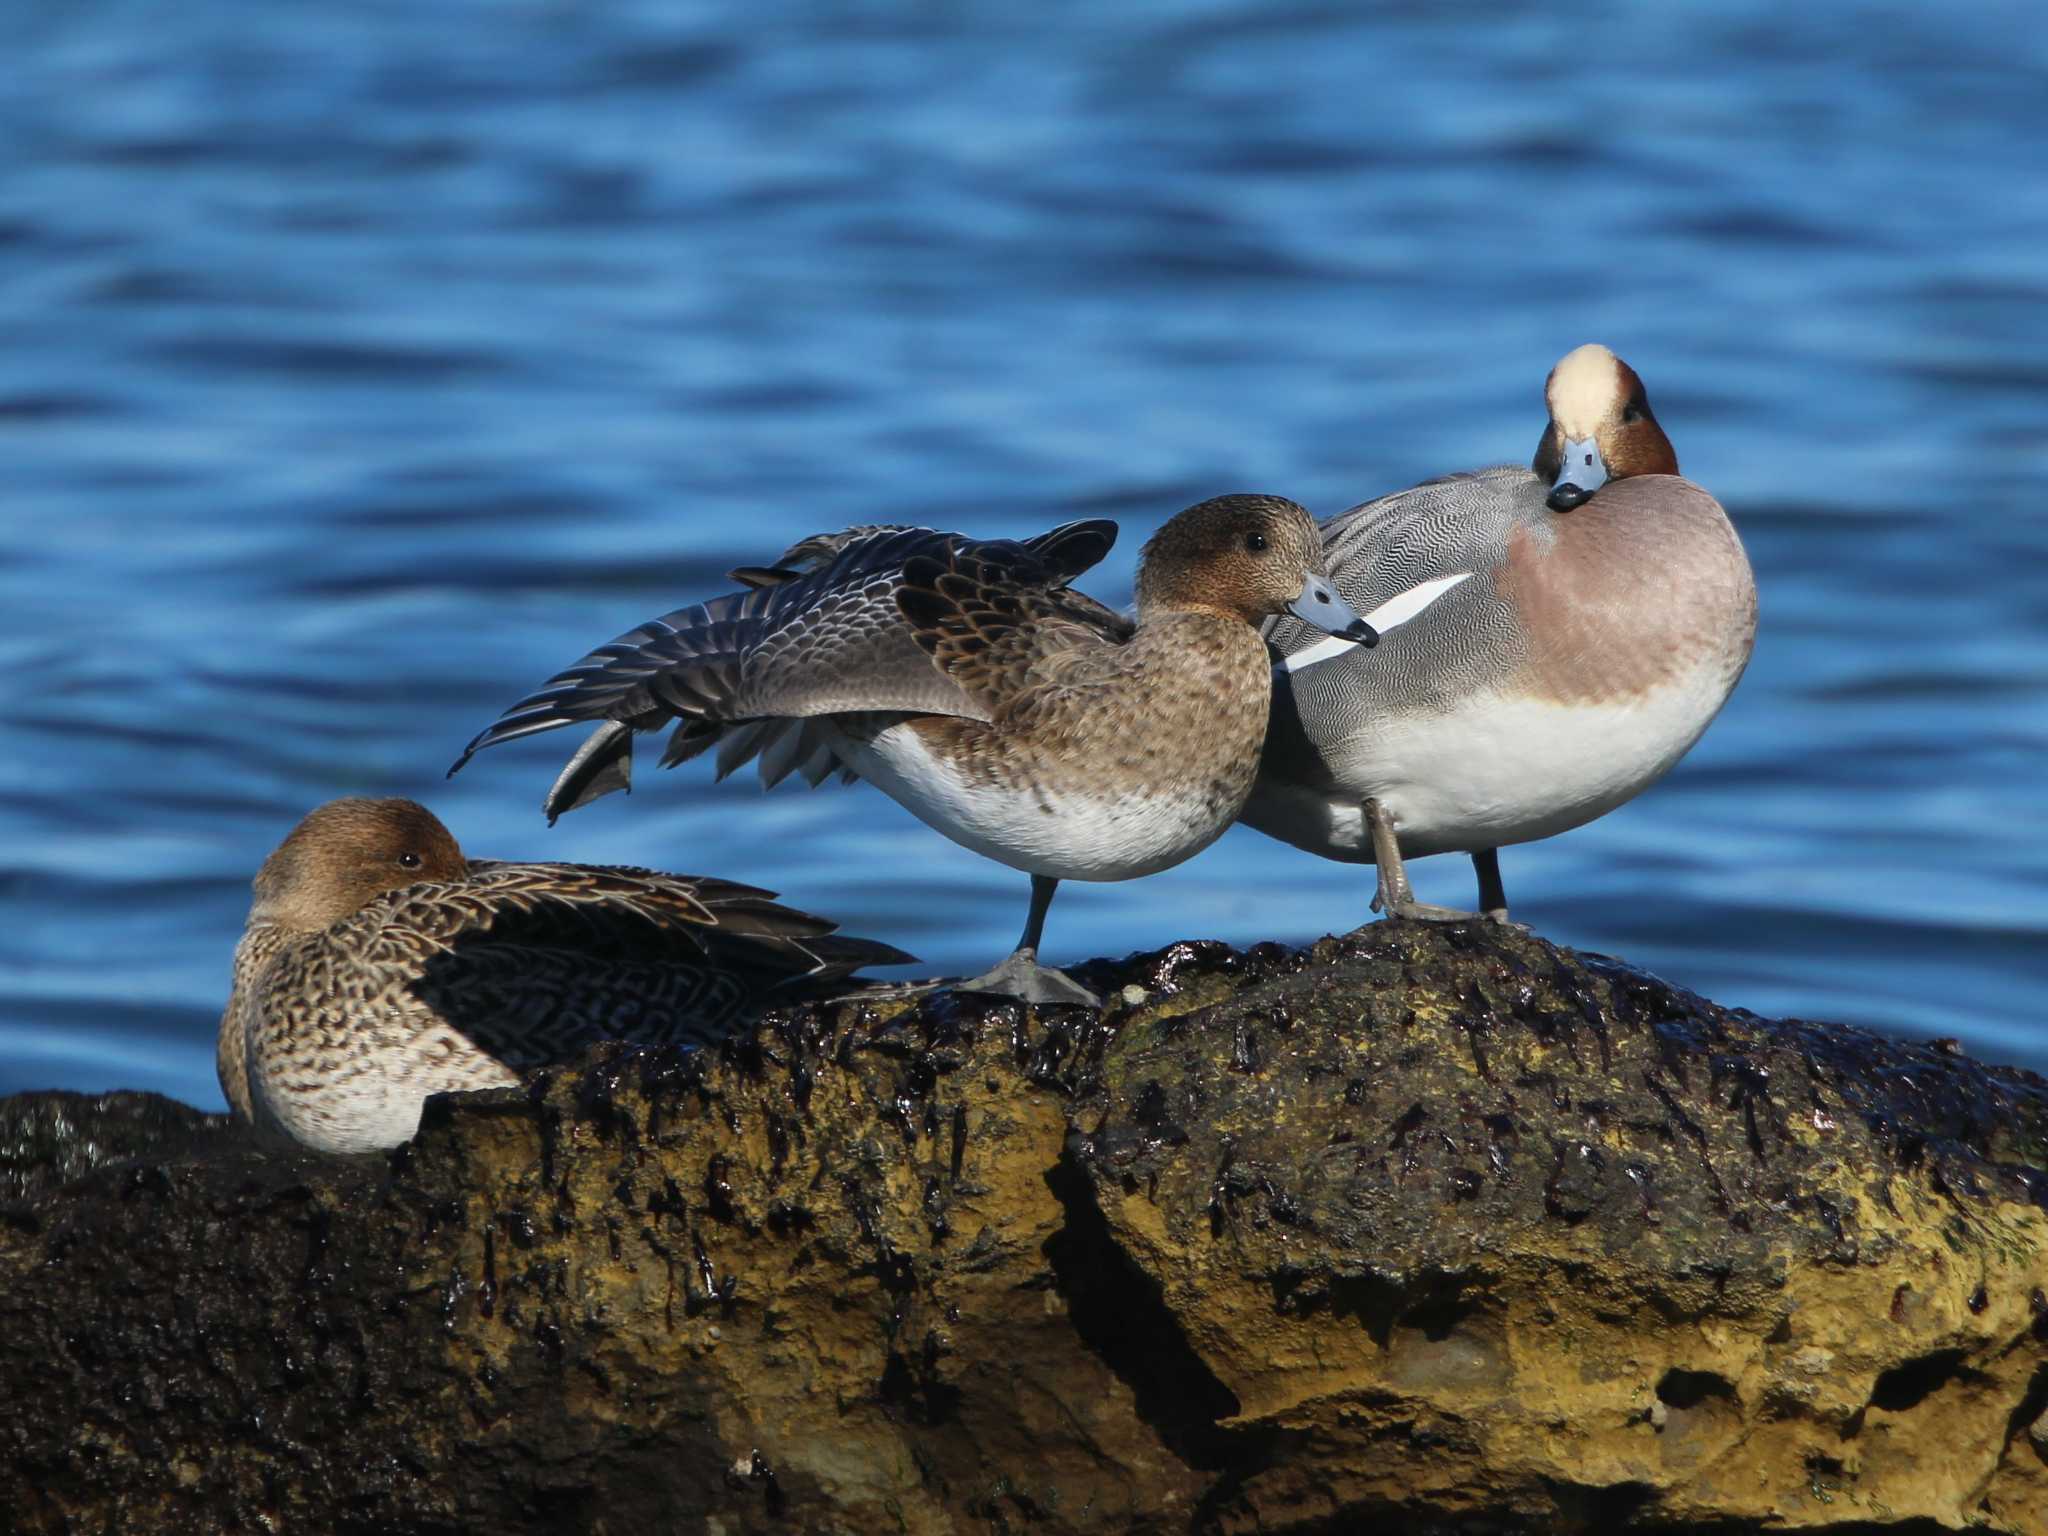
(382,966)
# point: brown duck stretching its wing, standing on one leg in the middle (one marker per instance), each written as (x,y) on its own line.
(976,687)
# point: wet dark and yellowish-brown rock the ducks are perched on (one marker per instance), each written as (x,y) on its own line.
(1433,1228)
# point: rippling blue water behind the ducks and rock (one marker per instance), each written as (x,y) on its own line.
(361,366)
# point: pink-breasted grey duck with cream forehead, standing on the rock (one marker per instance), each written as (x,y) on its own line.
(1609,615)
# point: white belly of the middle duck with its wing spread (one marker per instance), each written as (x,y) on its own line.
(1068,837)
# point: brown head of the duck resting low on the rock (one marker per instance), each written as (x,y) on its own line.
(347,855)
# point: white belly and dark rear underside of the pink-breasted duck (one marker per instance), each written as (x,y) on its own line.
(1492,773)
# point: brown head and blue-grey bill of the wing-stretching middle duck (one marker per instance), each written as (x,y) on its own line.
(1250,558)
